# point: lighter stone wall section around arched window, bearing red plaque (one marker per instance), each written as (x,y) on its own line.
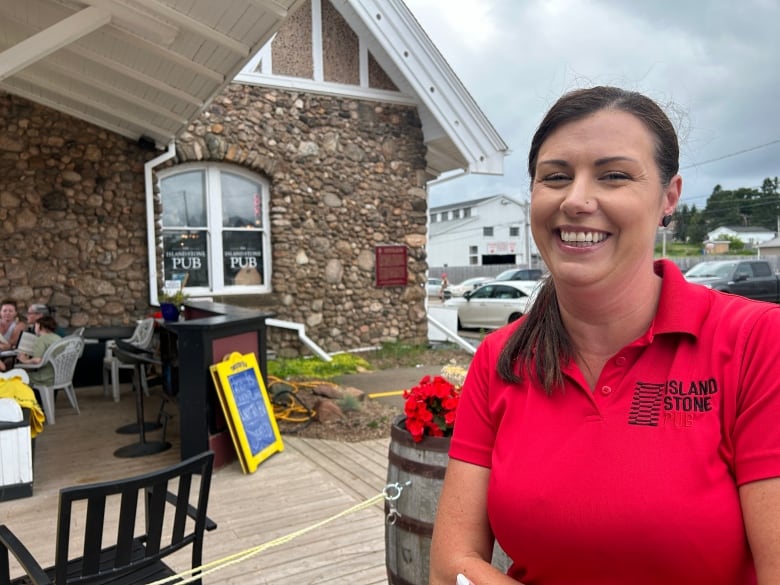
(345,177)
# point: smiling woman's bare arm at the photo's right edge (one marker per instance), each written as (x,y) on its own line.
(761,513)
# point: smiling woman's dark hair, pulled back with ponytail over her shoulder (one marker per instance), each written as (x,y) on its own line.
(541,345)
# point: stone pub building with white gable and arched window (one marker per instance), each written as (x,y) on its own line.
(280,193)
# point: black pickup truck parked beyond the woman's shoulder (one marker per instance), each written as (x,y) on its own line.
(754,279)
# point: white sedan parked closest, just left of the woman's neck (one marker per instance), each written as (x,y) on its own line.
(494,304)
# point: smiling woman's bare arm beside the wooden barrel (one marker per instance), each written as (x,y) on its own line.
(462,539)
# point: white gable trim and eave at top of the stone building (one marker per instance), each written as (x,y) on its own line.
(457,134)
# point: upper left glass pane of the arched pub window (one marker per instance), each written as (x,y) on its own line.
(184,200)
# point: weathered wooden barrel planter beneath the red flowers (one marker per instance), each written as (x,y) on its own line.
(408,533)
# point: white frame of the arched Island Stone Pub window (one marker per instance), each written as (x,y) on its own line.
(213,171)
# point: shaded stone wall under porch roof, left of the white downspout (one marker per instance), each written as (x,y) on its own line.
(73,217)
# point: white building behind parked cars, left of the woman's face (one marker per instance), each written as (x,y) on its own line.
(486,231)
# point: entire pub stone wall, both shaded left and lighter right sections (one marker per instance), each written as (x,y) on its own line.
(346,176)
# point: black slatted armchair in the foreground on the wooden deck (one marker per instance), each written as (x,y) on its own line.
(131,554)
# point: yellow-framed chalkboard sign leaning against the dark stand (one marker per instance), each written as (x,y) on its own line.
(247,409)
